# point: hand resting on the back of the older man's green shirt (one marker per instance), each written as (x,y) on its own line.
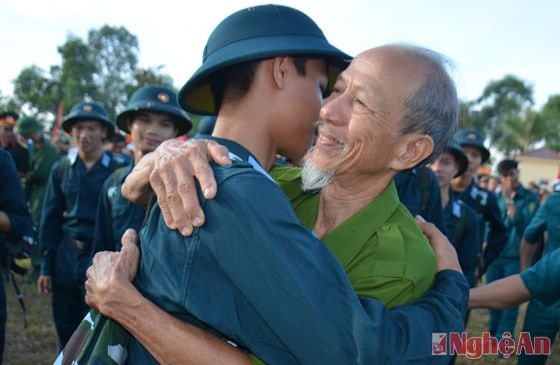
(446,255)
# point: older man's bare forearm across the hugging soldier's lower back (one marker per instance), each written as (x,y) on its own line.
(168,339)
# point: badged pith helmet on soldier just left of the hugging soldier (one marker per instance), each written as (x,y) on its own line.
(158,99)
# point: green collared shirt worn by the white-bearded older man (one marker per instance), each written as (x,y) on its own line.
(381,248)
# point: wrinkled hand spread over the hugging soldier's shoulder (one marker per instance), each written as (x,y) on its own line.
(172,179)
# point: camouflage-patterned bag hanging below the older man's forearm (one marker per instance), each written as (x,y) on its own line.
(97,340)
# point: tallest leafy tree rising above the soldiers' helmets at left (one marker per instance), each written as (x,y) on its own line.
(114,51)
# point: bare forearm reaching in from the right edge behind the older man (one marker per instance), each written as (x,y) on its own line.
(500,294)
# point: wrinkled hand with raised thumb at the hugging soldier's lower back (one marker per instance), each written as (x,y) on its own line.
(111,274)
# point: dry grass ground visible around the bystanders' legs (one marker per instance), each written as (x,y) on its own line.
(37,344)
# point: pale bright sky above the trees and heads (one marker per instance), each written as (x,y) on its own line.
(486,39)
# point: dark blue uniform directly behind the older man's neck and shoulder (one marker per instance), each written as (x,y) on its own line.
(419,191)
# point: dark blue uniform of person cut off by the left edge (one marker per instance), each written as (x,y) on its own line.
(12,202)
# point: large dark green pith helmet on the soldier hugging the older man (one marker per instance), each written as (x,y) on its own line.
(253,34)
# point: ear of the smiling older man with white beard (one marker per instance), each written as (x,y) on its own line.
(411,150)
